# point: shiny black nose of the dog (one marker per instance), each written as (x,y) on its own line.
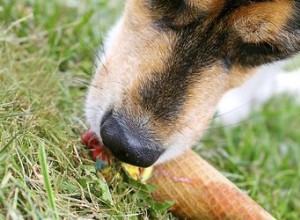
(129,143)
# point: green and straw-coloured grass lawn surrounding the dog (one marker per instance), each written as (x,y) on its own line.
(45,54)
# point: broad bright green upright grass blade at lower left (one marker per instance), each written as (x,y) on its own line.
(47,182)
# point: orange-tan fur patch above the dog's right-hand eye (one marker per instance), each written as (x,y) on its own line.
(262,21)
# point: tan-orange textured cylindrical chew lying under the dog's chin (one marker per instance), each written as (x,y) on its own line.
(201,192)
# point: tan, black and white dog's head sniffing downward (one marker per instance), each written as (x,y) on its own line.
(167,63)
